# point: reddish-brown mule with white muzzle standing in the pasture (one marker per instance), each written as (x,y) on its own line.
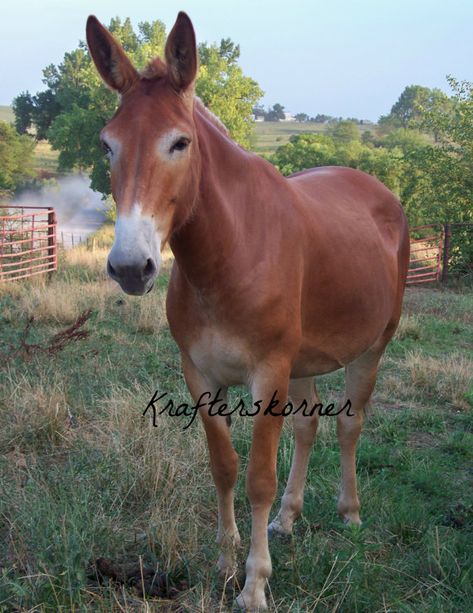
(275,280)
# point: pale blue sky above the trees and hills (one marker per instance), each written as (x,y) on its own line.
(349,58)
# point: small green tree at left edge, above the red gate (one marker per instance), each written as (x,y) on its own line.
(16,158)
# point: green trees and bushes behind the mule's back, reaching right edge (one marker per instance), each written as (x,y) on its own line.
(428,163)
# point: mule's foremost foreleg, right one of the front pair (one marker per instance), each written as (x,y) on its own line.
(261,483)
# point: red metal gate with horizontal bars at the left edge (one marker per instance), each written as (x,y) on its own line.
(28,244)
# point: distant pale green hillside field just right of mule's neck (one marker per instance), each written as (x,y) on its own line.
(269,135)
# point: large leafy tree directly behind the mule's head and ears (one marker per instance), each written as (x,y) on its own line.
(76,105)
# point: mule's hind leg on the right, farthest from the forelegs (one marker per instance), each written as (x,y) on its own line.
(360,382)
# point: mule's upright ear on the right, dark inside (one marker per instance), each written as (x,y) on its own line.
(181,53)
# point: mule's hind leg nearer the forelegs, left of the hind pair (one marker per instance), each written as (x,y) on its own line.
(305,429)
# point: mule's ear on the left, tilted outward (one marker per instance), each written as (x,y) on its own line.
(111,61)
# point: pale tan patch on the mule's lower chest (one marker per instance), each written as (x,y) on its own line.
(220,356)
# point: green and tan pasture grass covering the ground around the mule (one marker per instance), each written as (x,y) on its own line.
(84,475)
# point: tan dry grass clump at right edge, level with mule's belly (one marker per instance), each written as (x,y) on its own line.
(448,379)
